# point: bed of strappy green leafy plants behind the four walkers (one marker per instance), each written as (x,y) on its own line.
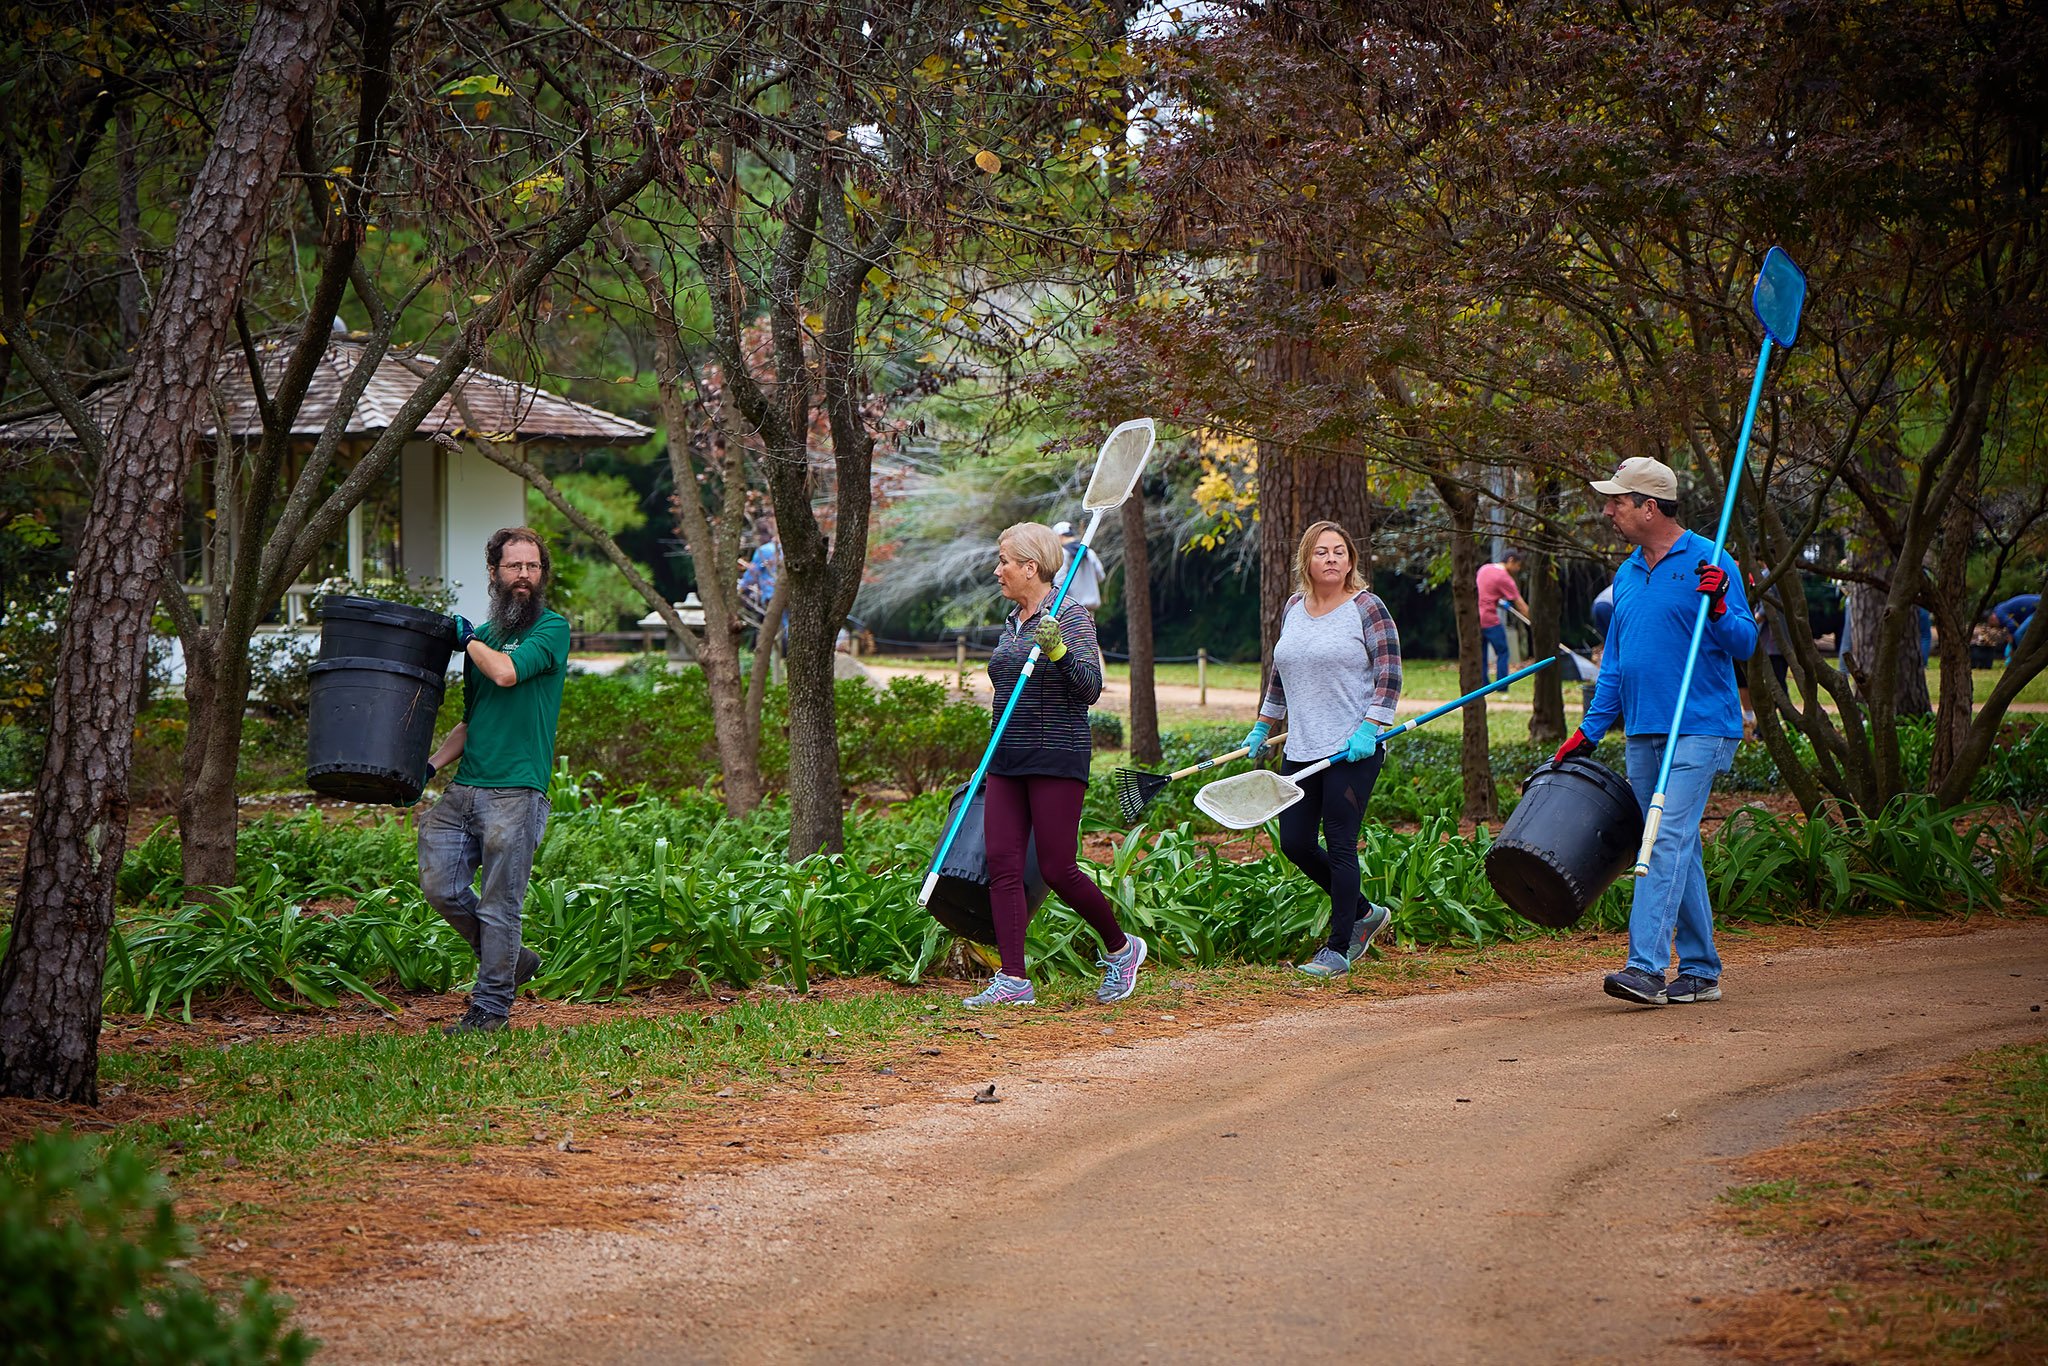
(636,890)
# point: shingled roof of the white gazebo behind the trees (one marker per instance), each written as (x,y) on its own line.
(499,404)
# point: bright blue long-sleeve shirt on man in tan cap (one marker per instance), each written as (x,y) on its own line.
(1654,613)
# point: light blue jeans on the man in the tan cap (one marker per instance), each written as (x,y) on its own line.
(1670,902)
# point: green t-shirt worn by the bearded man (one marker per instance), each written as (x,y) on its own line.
(513,730)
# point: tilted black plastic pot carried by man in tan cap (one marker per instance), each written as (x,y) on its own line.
(1576,830)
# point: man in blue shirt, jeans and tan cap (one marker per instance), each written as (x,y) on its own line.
(1656,603)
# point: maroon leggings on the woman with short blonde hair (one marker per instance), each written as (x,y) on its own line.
(1050,810)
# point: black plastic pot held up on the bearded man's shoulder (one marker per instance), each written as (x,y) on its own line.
(378,687)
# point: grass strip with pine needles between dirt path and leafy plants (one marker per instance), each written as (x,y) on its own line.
(288,1107)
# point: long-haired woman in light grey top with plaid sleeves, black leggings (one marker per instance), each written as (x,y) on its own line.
(1340,658)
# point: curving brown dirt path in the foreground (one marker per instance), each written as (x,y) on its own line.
(1504,1175)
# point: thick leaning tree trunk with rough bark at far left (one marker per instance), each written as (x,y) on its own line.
(54,970)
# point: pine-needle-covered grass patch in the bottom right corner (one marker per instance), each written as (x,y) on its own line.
(1930,1218)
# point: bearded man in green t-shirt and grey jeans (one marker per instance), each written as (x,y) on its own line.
(495,812)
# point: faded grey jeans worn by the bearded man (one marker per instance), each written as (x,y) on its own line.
(497,830)
